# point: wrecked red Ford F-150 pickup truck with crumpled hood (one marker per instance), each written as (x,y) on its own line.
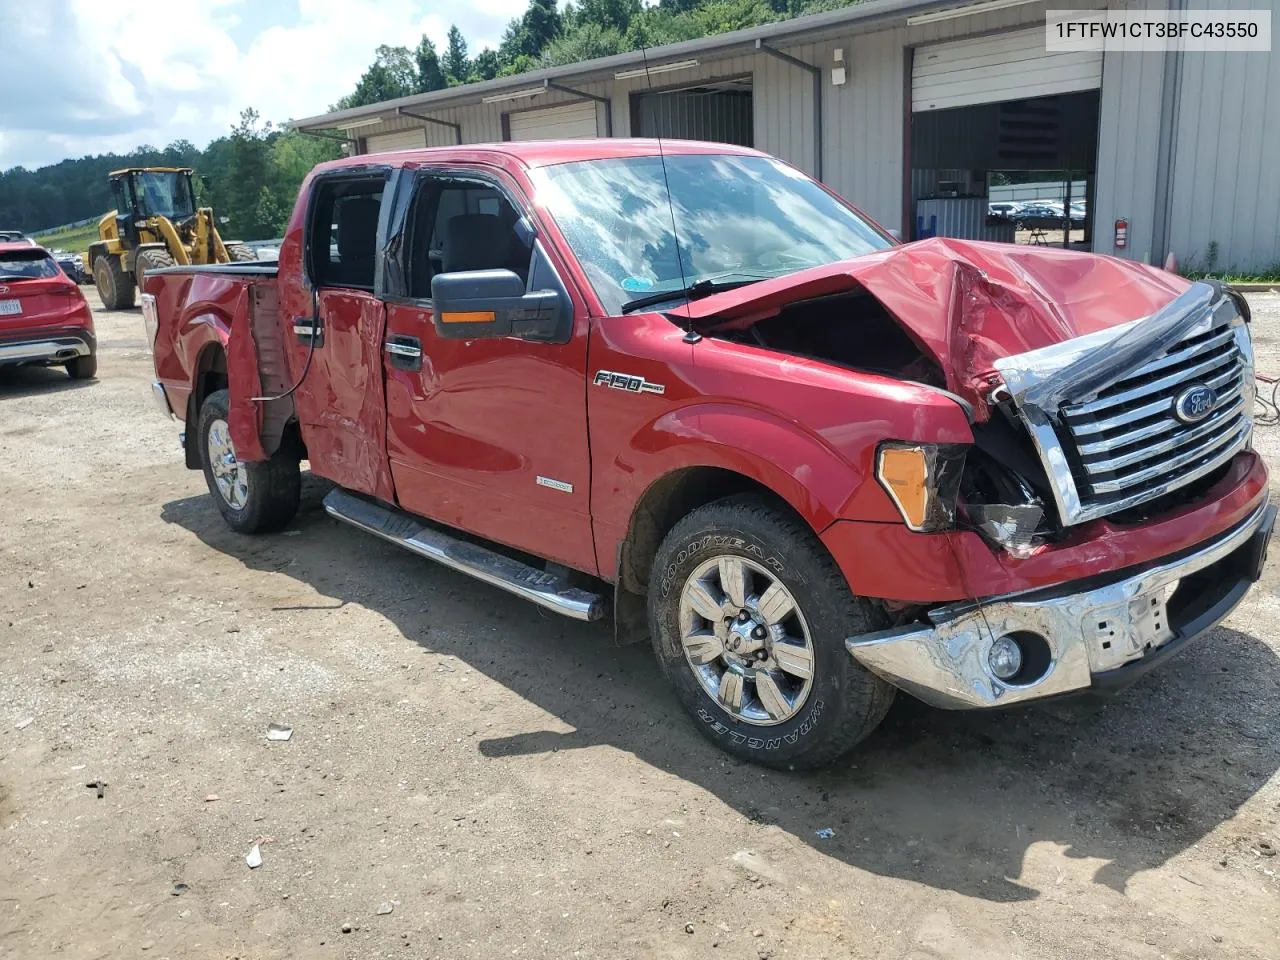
(694,390)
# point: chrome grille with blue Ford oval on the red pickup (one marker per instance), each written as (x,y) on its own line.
(1126,417)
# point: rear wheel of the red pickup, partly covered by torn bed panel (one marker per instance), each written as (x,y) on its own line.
(253,497)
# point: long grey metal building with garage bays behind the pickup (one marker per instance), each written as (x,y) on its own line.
(907,107)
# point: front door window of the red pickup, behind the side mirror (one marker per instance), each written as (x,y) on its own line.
(459,226)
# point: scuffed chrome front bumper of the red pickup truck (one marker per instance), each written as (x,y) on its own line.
(1100,634)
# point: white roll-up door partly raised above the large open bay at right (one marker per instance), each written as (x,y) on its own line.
(996,68)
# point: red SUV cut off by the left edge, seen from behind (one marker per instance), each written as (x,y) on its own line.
(44,317)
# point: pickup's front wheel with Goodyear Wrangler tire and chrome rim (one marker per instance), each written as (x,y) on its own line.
(749,616)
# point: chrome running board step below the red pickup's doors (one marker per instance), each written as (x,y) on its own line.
(406,531)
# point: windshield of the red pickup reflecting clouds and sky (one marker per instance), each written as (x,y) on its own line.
(739,218)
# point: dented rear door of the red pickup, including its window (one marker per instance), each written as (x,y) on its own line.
(341,403)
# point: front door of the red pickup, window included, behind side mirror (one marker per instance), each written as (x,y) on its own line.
(488,436)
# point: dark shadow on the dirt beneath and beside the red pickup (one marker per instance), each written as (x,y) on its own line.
(952,801)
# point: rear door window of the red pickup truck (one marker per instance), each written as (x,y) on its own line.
(342,235)
